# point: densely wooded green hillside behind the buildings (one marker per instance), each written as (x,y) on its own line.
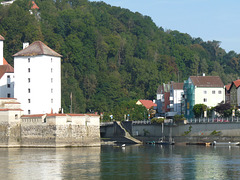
(111,56)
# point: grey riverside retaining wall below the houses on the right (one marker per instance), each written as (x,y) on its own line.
(193,132)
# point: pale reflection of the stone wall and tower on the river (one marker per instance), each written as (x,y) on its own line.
(49,163)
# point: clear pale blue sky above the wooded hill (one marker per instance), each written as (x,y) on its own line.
(208,19)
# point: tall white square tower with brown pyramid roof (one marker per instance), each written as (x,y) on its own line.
(38,79)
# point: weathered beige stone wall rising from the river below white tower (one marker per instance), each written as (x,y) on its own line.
(30,135)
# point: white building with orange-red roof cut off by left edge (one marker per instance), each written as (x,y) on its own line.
(6,75)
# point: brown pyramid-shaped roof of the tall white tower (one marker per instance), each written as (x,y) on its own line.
(37,48)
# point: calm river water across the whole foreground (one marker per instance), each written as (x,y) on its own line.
(131,162)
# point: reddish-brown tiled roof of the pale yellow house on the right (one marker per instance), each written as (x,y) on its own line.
(207,81)
